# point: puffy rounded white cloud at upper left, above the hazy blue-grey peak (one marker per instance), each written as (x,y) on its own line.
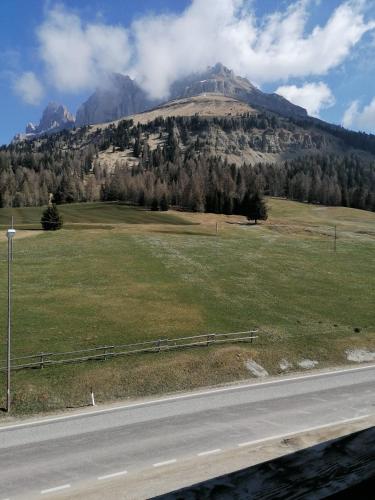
(80,56)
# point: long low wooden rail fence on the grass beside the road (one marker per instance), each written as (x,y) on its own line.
(43,359)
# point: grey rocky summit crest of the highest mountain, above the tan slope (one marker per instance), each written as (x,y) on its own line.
(220,79)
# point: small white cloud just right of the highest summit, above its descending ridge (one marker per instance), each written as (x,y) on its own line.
(312,96)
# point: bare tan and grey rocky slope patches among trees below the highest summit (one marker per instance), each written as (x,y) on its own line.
(262,144)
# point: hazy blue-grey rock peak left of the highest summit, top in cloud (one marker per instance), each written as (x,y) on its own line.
(121,97)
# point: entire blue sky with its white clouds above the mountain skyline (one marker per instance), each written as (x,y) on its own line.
(317,53)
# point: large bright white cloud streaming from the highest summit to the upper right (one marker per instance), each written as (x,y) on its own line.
(267,50)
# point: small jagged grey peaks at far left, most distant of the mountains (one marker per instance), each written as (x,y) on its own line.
(55,117)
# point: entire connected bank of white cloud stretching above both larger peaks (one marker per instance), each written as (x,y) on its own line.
(158,49)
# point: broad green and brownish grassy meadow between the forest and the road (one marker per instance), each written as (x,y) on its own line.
(135,275)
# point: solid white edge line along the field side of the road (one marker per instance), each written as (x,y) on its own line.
(186,396)
